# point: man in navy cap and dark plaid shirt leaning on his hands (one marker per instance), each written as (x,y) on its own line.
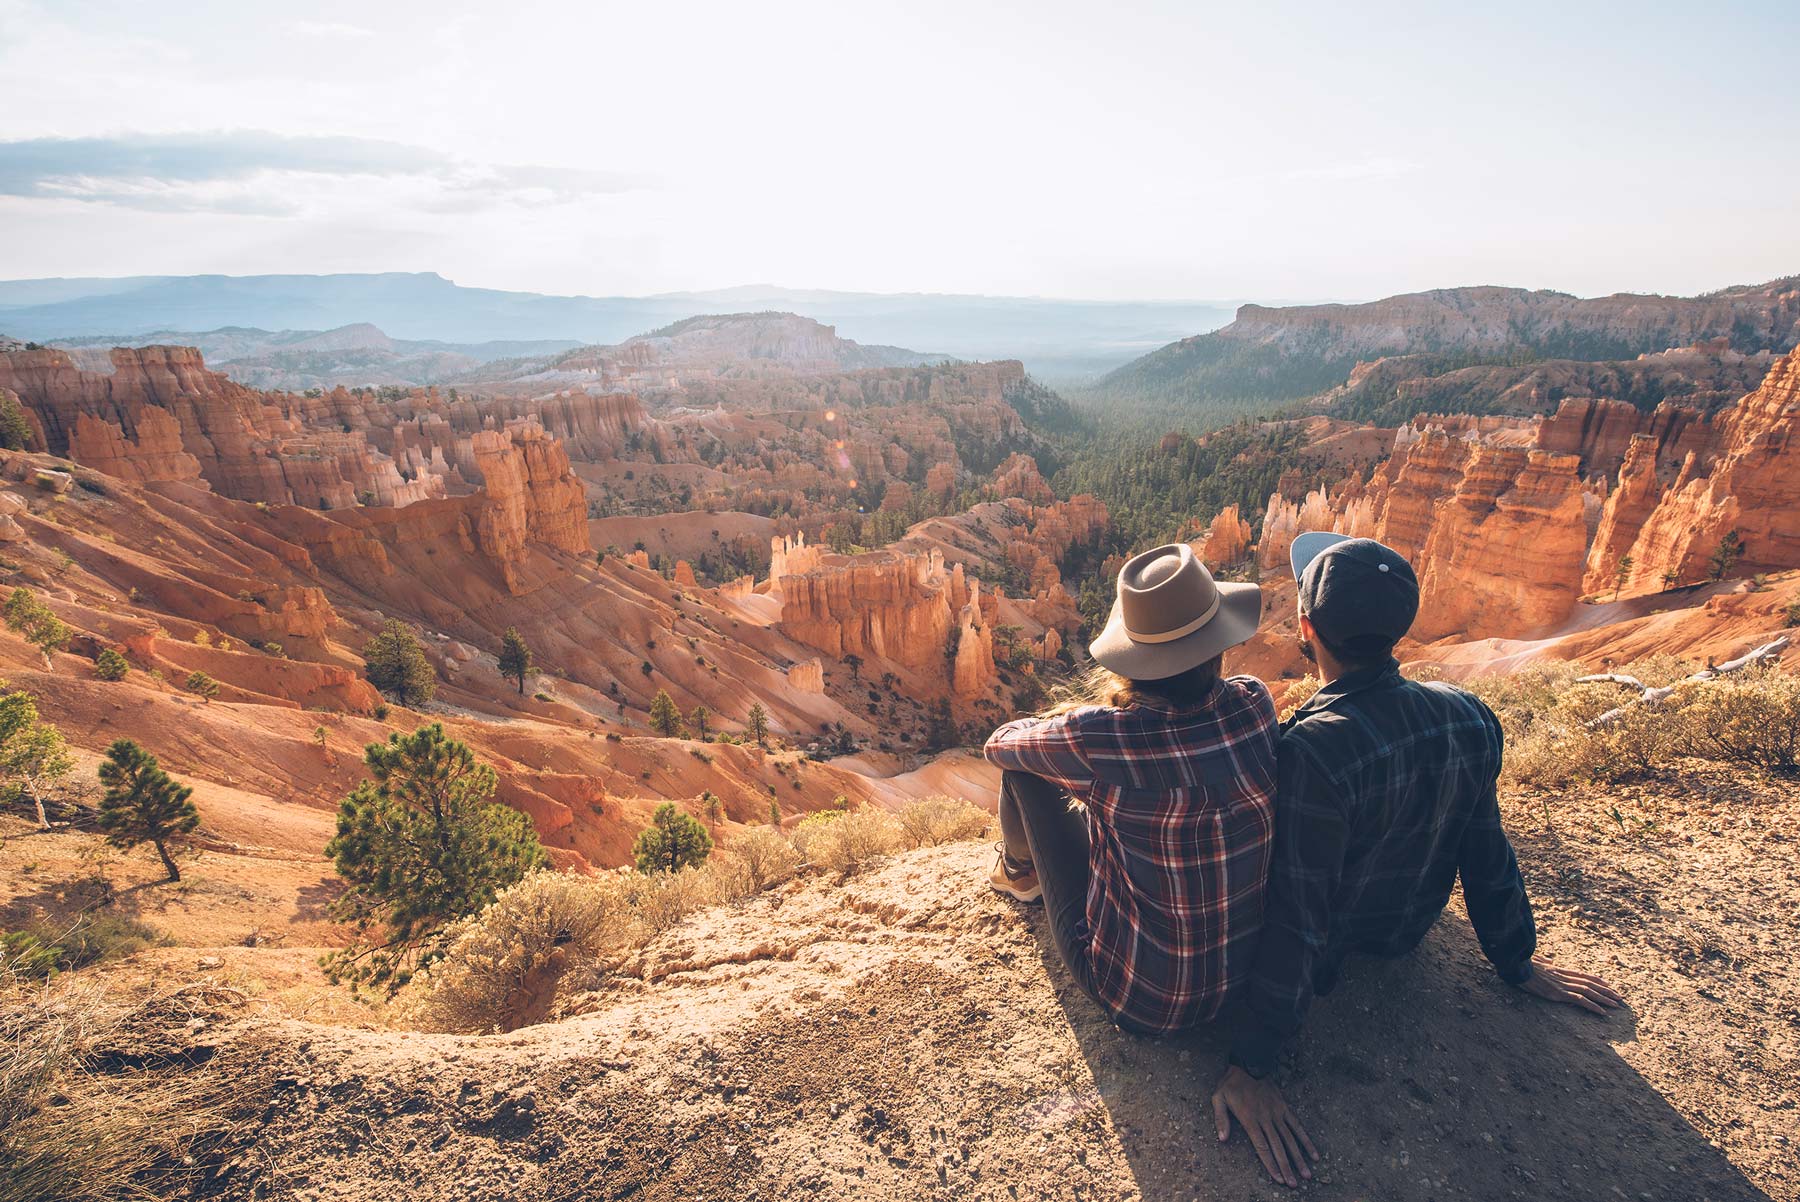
(1385,796)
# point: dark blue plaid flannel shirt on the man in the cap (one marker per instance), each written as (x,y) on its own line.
(1385,796)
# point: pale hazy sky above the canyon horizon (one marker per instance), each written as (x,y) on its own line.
(1072,150)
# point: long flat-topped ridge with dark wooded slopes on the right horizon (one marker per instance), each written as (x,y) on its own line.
(1527,350)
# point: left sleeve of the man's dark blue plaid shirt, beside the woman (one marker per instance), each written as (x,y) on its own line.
(1308,859)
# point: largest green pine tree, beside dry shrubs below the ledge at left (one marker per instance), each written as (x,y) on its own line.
(422,845)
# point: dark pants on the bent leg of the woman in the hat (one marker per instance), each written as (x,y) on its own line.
(1043,830)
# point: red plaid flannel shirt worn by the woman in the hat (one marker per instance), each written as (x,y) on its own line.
(1180,821)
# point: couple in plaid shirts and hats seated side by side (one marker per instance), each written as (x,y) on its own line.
(1219,857)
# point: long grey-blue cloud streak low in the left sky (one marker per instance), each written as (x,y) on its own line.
(229,172)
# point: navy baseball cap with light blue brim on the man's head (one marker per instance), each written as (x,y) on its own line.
(1360,595)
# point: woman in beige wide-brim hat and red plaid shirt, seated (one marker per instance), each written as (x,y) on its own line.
(1153,886)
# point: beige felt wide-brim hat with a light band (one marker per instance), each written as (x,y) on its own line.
(1171,616)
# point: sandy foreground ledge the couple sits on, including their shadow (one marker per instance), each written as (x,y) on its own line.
(908,1034)
